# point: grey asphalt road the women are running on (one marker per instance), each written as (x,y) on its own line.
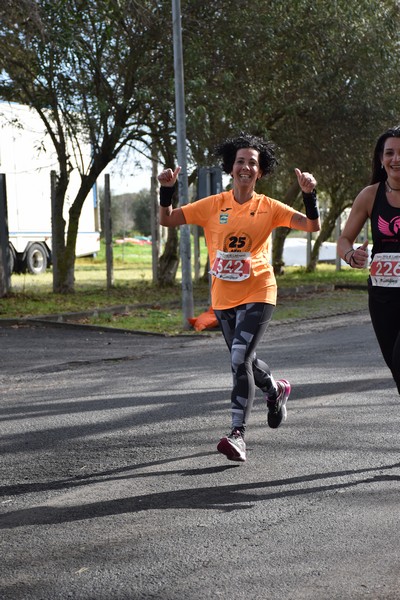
(111,487)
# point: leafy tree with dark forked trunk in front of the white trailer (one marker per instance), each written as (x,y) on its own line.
(89,69)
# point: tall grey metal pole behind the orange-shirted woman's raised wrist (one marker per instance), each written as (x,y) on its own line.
(183,188)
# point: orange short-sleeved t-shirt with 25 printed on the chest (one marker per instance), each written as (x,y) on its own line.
(245,228)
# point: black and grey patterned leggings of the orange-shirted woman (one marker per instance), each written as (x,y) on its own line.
(243,327)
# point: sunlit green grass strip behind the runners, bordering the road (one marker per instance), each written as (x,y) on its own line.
(144,306)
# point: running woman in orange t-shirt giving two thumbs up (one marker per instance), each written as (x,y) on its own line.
(237,226)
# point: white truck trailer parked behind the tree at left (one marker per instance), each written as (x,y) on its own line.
(27,157)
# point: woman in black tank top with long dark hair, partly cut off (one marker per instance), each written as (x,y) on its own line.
(380,202)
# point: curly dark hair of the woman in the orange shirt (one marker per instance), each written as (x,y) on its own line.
(228,148)
